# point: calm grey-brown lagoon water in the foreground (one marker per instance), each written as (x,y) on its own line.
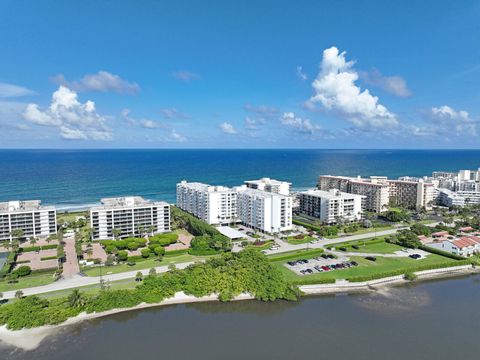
(436,320)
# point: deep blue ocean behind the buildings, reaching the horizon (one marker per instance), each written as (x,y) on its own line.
(70,178)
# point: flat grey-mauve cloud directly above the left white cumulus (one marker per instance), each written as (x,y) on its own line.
(103,81)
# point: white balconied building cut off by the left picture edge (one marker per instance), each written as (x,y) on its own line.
(29,216)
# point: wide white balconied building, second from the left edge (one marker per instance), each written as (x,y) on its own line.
(130,216)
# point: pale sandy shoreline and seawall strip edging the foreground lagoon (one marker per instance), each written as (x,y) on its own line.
(30,339)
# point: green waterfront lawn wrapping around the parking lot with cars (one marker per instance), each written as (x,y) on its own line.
(367,269)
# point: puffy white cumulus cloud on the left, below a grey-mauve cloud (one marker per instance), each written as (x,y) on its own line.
(75,120)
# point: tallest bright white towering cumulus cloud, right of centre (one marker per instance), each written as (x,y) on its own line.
(335,89)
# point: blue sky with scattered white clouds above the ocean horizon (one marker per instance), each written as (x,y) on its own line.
(231,74)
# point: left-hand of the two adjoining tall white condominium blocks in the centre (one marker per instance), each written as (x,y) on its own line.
(213,204)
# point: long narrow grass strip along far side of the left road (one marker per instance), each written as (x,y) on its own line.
(141,264)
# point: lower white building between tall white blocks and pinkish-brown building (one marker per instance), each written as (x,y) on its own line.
(329,206)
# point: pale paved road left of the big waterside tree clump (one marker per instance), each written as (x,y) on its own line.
(79,281)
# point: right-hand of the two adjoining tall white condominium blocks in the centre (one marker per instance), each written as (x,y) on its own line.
(265,211)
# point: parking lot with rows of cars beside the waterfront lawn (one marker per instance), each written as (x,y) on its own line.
(320,264)
